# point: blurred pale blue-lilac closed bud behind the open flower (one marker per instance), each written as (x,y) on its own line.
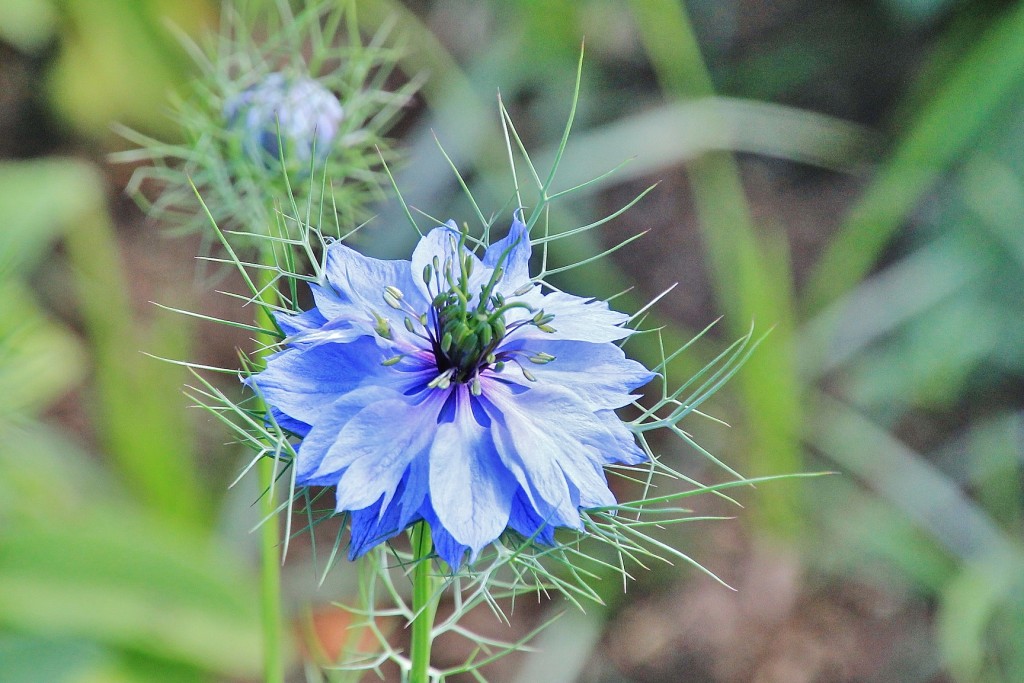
(298,114)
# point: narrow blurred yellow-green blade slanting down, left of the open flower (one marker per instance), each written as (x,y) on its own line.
(141,412)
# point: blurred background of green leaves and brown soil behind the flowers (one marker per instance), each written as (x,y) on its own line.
(850,175)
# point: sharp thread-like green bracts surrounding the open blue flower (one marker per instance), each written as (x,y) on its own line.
(618,540)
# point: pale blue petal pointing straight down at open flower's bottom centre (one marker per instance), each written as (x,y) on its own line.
(471,489)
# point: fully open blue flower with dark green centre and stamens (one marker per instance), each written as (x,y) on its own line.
(455,391)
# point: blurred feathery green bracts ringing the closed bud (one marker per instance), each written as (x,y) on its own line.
(255,40)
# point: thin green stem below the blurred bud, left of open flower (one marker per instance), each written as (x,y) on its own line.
(271,614)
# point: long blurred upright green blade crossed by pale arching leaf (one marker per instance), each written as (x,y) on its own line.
(750,269)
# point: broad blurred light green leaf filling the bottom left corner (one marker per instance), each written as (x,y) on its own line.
(79,562)
